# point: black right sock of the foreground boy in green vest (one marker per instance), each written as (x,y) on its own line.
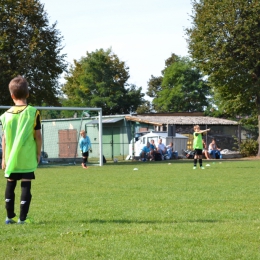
(26,197)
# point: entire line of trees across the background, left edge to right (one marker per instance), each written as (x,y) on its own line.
(221,75)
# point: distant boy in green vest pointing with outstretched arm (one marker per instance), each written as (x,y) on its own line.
(198,145)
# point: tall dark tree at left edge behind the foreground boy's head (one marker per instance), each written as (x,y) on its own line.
(31,48)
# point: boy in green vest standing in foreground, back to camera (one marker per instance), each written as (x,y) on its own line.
(21,149)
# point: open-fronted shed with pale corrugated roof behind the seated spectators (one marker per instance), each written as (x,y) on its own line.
(223,130)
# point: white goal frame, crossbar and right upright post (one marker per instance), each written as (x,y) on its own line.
(99,110)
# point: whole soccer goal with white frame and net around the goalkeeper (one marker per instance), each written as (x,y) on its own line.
(61,128)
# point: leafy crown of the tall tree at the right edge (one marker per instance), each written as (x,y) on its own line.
(224,42)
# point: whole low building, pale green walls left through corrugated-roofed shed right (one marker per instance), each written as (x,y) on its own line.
(60,136)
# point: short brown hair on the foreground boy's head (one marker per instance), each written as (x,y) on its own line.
(18,86)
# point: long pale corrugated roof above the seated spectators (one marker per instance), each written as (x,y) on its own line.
(180,120)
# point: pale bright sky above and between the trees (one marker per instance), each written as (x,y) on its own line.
(142,33)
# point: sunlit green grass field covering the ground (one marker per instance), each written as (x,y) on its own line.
(160,211)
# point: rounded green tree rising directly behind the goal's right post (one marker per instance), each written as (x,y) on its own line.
(100,80)
